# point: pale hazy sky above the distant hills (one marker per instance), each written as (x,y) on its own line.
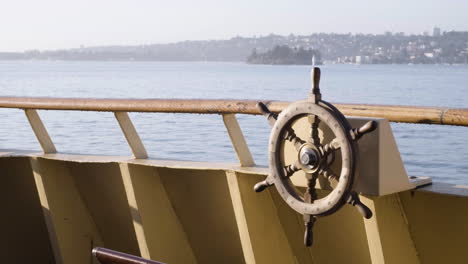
(54,24)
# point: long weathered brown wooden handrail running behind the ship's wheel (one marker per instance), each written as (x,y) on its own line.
(404,114)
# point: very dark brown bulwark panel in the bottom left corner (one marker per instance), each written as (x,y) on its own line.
(24,236)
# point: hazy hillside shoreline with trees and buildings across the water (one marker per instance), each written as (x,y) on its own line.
(389,48)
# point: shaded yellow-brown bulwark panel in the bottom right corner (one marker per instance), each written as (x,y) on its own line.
(438,225)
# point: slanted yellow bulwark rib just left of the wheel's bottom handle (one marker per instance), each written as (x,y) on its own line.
(262,236)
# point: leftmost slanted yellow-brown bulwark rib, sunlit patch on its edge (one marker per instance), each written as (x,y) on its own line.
(71,229)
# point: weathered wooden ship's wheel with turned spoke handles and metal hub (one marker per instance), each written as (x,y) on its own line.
(314,157)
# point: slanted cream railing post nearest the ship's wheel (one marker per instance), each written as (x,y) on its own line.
(238,140)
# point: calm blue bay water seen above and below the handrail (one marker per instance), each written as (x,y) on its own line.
(427,150)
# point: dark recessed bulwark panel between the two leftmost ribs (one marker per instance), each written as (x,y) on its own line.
(101,188)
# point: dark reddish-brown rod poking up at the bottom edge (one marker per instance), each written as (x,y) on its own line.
(107,256)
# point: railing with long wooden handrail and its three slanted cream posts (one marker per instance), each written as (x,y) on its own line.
(226,108)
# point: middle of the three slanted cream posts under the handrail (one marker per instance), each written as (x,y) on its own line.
(131,135)
